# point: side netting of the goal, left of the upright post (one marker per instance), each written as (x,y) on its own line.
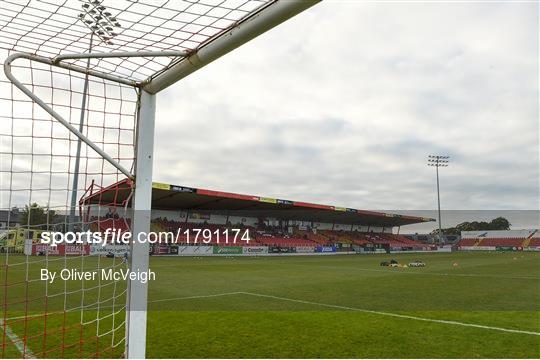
(40,161)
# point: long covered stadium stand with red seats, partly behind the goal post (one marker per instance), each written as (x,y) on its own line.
(271,222)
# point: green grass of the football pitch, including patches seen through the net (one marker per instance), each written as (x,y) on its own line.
(315,306)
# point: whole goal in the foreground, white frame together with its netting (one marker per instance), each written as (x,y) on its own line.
(139,49)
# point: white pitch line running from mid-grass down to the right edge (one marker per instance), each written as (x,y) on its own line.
(448,322)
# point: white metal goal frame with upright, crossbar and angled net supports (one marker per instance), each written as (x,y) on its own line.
(269,16)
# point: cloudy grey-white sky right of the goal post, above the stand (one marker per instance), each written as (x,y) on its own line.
(342,104)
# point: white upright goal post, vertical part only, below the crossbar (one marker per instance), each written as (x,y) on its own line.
(142,204)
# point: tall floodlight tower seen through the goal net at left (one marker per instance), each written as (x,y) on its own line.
(102,24)
